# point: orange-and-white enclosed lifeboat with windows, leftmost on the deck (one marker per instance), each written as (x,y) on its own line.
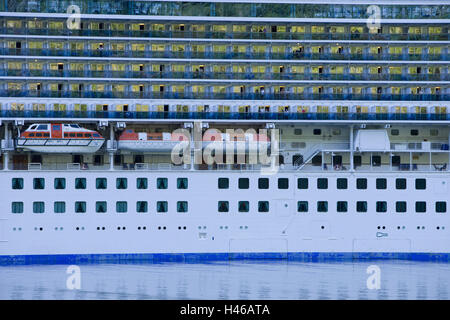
(59,138)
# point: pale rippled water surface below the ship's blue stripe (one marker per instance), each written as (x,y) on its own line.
(259,280)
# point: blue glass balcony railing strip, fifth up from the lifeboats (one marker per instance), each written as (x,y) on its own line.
(262,35)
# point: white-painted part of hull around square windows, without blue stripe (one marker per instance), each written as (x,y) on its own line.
(281,230)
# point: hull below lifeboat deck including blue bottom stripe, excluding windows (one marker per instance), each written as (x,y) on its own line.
(203,233)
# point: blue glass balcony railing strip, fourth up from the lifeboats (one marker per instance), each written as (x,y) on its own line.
(187,54)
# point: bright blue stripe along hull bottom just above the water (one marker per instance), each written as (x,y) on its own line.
(204,257)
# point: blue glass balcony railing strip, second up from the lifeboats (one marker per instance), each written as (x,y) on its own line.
(231,96)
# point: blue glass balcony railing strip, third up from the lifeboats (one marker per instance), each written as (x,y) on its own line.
(226,75)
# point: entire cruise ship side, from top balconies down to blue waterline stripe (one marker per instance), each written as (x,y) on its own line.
(348,103)
